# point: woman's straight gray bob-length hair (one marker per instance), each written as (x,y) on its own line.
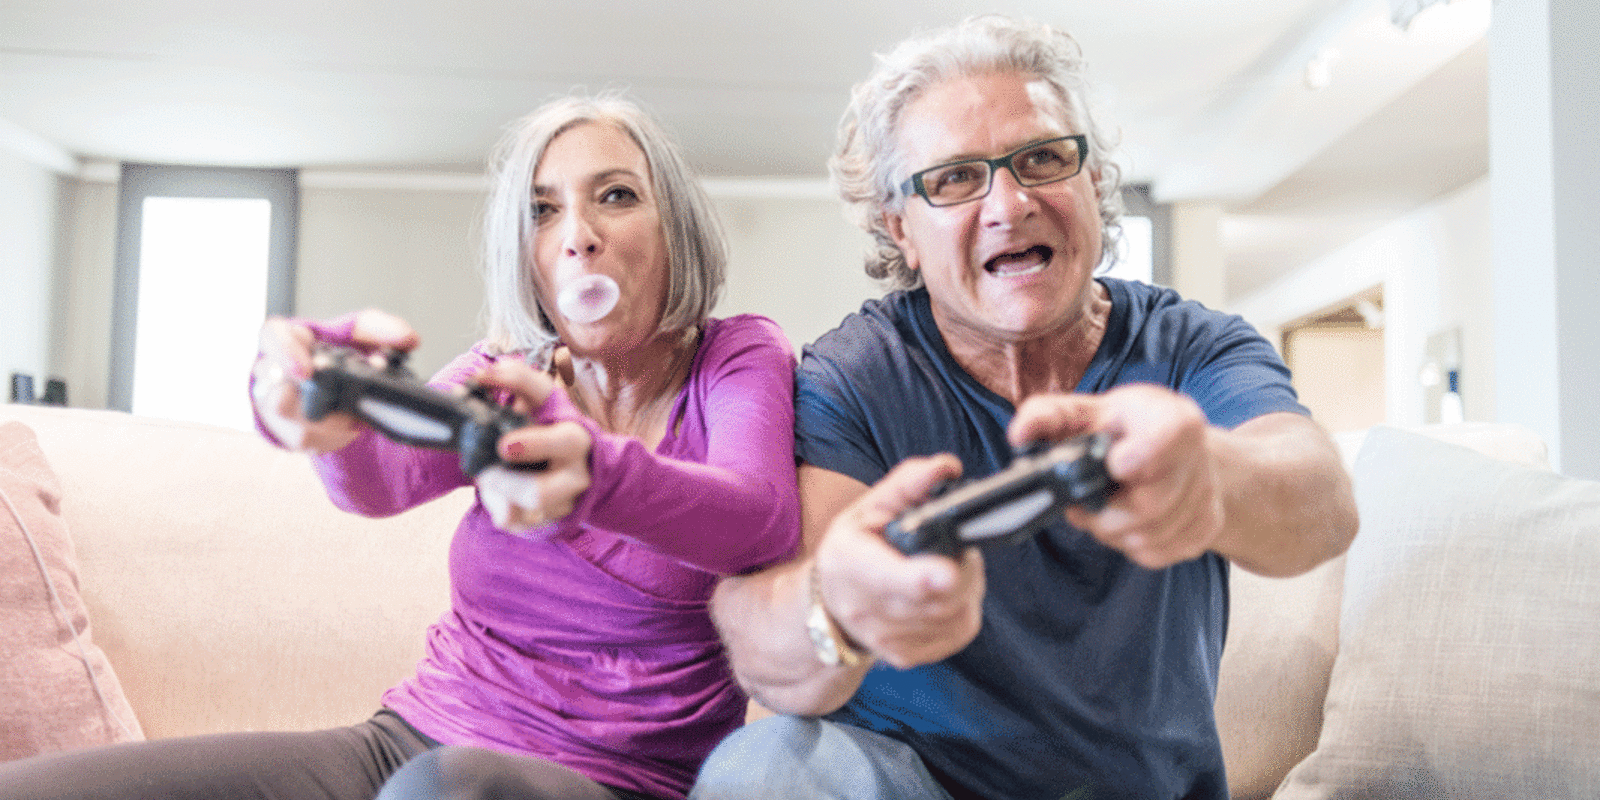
(518,318)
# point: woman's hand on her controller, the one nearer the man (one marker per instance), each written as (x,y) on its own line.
(524,498)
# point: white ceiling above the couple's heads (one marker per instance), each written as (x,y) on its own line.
(1210,95)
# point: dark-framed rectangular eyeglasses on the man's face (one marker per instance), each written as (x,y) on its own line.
(970,180)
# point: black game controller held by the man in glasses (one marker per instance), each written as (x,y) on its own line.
(1012,505)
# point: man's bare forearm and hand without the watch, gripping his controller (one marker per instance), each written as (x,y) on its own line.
(1270,495)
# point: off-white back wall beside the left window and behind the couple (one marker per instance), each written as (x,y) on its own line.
(414,250)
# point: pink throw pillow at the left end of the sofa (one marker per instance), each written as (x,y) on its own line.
(57,689)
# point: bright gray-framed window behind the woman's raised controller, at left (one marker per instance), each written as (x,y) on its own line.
(202,257)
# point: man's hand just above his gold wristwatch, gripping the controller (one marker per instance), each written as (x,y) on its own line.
(908,612)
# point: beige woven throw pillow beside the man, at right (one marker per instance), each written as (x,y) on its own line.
(1468,633)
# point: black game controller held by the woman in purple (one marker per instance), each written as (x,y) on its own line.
(398,404)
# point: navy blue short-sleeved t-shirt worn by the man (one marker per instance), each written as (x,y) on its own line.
(1090,674)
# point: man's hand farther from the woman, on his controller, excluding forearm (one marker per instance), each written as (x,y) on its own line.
(1170,506)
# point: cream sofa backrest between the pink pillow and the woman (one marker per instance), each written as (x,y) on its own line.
(226,588)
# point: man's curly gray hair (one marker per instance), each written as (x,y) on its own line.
(868,169)
